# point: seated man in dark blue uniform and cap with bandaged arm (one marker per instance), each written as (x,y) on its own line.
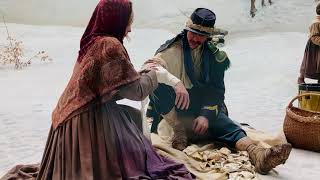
(194,68)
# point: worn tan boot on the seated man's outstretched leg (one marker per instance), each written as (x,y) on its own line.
(264,159)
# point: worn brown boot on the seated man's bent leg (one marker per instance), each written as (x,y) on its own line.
(179,140)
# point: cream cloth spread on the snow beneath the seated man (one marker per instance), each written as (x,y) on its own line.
(212,160)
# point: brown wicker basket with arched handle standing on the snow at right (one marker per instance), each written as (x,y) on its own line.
(301,127)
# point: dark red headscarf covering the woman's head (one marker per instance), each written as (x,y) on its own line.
(110,18)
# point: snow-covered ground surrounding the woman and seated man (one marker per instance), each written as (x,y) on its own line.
(265,53)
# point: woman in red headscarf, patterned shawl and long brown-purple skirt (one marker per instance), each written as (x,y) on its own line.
(92,137)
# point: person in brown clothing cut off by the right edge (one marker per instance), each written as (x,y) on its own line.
(310,66)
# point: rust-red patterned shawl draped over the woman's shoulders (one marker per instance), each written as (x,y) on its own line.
(103,70)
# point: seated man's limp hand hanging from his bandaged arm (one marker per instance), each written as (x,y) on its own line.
(182,96)
